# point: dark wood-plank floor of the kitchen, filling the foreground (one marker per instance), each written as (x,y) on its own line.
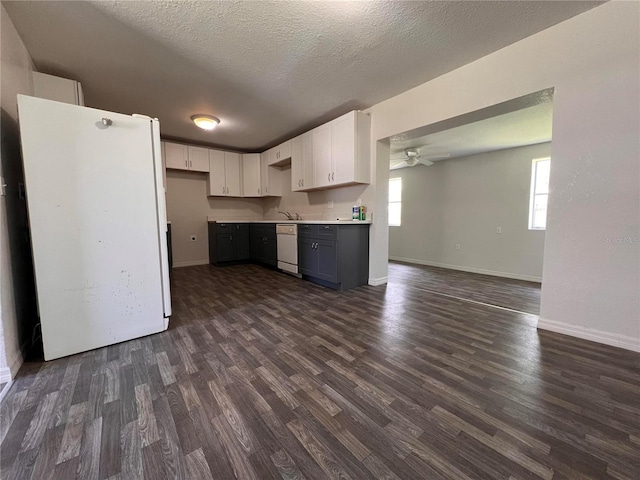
(262,375)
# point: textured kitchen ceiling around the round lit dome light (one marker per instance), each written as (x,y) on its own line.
(268,70)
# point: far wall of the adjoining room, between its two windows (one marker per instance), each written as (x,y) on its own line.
(462,201)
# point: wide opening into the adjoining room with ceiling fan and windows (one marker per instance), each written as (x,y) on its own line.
(467,204)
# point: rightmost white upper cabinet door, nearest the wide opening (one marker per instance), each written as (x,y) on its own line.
(343,136)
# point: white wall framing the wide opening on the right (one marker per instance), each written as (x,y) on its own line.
(591,274)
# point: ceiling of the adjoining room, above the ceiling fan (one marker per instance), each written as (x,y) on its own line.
(527,126)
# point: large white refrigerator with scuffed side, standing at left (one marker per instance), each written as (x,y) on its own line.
(98,224)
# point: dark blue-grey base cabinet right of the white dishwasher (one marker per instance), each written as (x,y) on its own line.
(336,256)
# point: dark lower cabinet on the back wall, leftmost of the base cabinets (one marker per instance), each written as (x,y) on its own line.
(228,242)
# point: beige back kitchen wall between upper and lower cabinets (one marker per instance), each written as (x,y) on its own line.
(188,208)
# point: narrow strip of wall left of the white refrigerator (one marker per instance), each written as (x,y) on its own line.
(15,78)
